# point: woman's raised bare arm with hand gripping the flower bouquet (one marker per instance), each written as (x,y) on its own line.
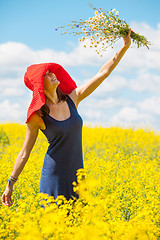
(83,91)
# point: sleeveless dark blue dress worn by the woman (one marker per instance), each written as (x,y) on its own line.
(64,155)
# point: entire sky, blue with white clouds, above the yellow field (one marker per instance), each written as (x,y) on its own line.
(129,97)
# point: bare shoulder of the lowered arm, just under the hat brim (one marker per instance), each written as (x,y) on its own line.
(36,121)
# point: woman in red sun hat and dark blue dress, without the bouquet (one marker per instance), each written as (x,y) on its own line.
(55,114)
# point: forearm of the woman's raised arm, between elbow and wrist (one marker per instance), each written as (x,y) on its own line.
(108,67)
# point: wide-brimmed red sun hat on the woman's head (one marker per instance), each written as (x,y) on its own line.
(33,79)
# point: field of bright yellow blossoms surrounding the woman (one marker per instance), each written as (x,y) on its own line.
(119,188)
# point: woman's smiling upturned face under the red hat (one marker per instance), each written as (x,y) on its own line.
(50,81)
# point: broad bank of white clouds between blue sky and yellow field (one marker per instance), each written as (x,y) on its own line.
(140,66)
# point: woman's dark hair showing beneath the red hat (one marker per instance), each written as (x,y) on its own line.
(44,110)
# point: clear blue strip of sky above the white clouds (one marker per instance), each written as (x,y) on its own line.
(33,21)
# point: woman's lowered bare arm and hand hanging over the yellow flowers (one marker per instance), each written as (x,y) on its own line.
(22,158)
